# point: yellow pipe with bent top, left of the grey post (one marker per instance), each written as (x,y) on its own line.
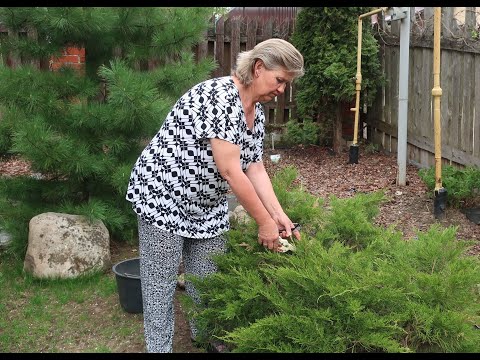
(353,155)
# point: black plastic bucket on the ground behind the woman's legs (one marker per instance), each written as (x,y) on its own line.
(127,274)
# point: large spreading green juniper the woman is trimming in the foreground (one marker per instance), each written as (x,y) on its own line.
(350,286)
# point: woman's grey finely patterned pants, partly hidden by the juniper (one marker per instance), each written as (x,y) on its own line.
(160,255)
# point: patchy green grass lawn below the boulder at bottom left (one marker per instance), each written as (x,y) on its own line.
(71,315)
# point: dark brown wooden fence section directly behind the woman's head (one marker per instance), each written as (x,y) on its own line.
(227,37)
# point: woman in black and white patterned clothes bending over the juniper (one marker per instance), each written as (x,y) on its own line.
(210,142)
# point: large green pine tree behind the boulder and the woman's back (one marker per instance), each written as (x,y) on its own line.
(82,131)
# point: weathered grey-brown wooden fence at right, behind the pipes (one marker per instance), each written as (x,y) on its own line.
(459,80)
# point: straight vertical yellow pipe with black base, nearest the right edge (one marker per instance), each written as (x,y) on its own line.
(440,192)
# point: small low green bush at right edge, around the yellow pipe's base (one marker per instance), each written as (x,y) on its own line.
(462,184)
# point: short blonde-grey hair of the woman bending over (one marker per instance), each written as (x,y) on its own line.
(275,54)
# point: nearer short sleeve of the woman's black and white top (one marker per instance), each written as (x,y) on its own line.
(217,116)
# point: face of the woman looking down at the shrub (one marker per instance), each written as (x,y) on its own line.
(270,83)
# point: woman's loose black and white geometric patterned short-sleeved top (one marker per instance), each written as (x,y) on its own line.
(175,184)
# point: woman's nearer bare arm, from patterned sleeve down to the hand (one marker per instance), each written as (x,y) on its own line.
(227,158)
